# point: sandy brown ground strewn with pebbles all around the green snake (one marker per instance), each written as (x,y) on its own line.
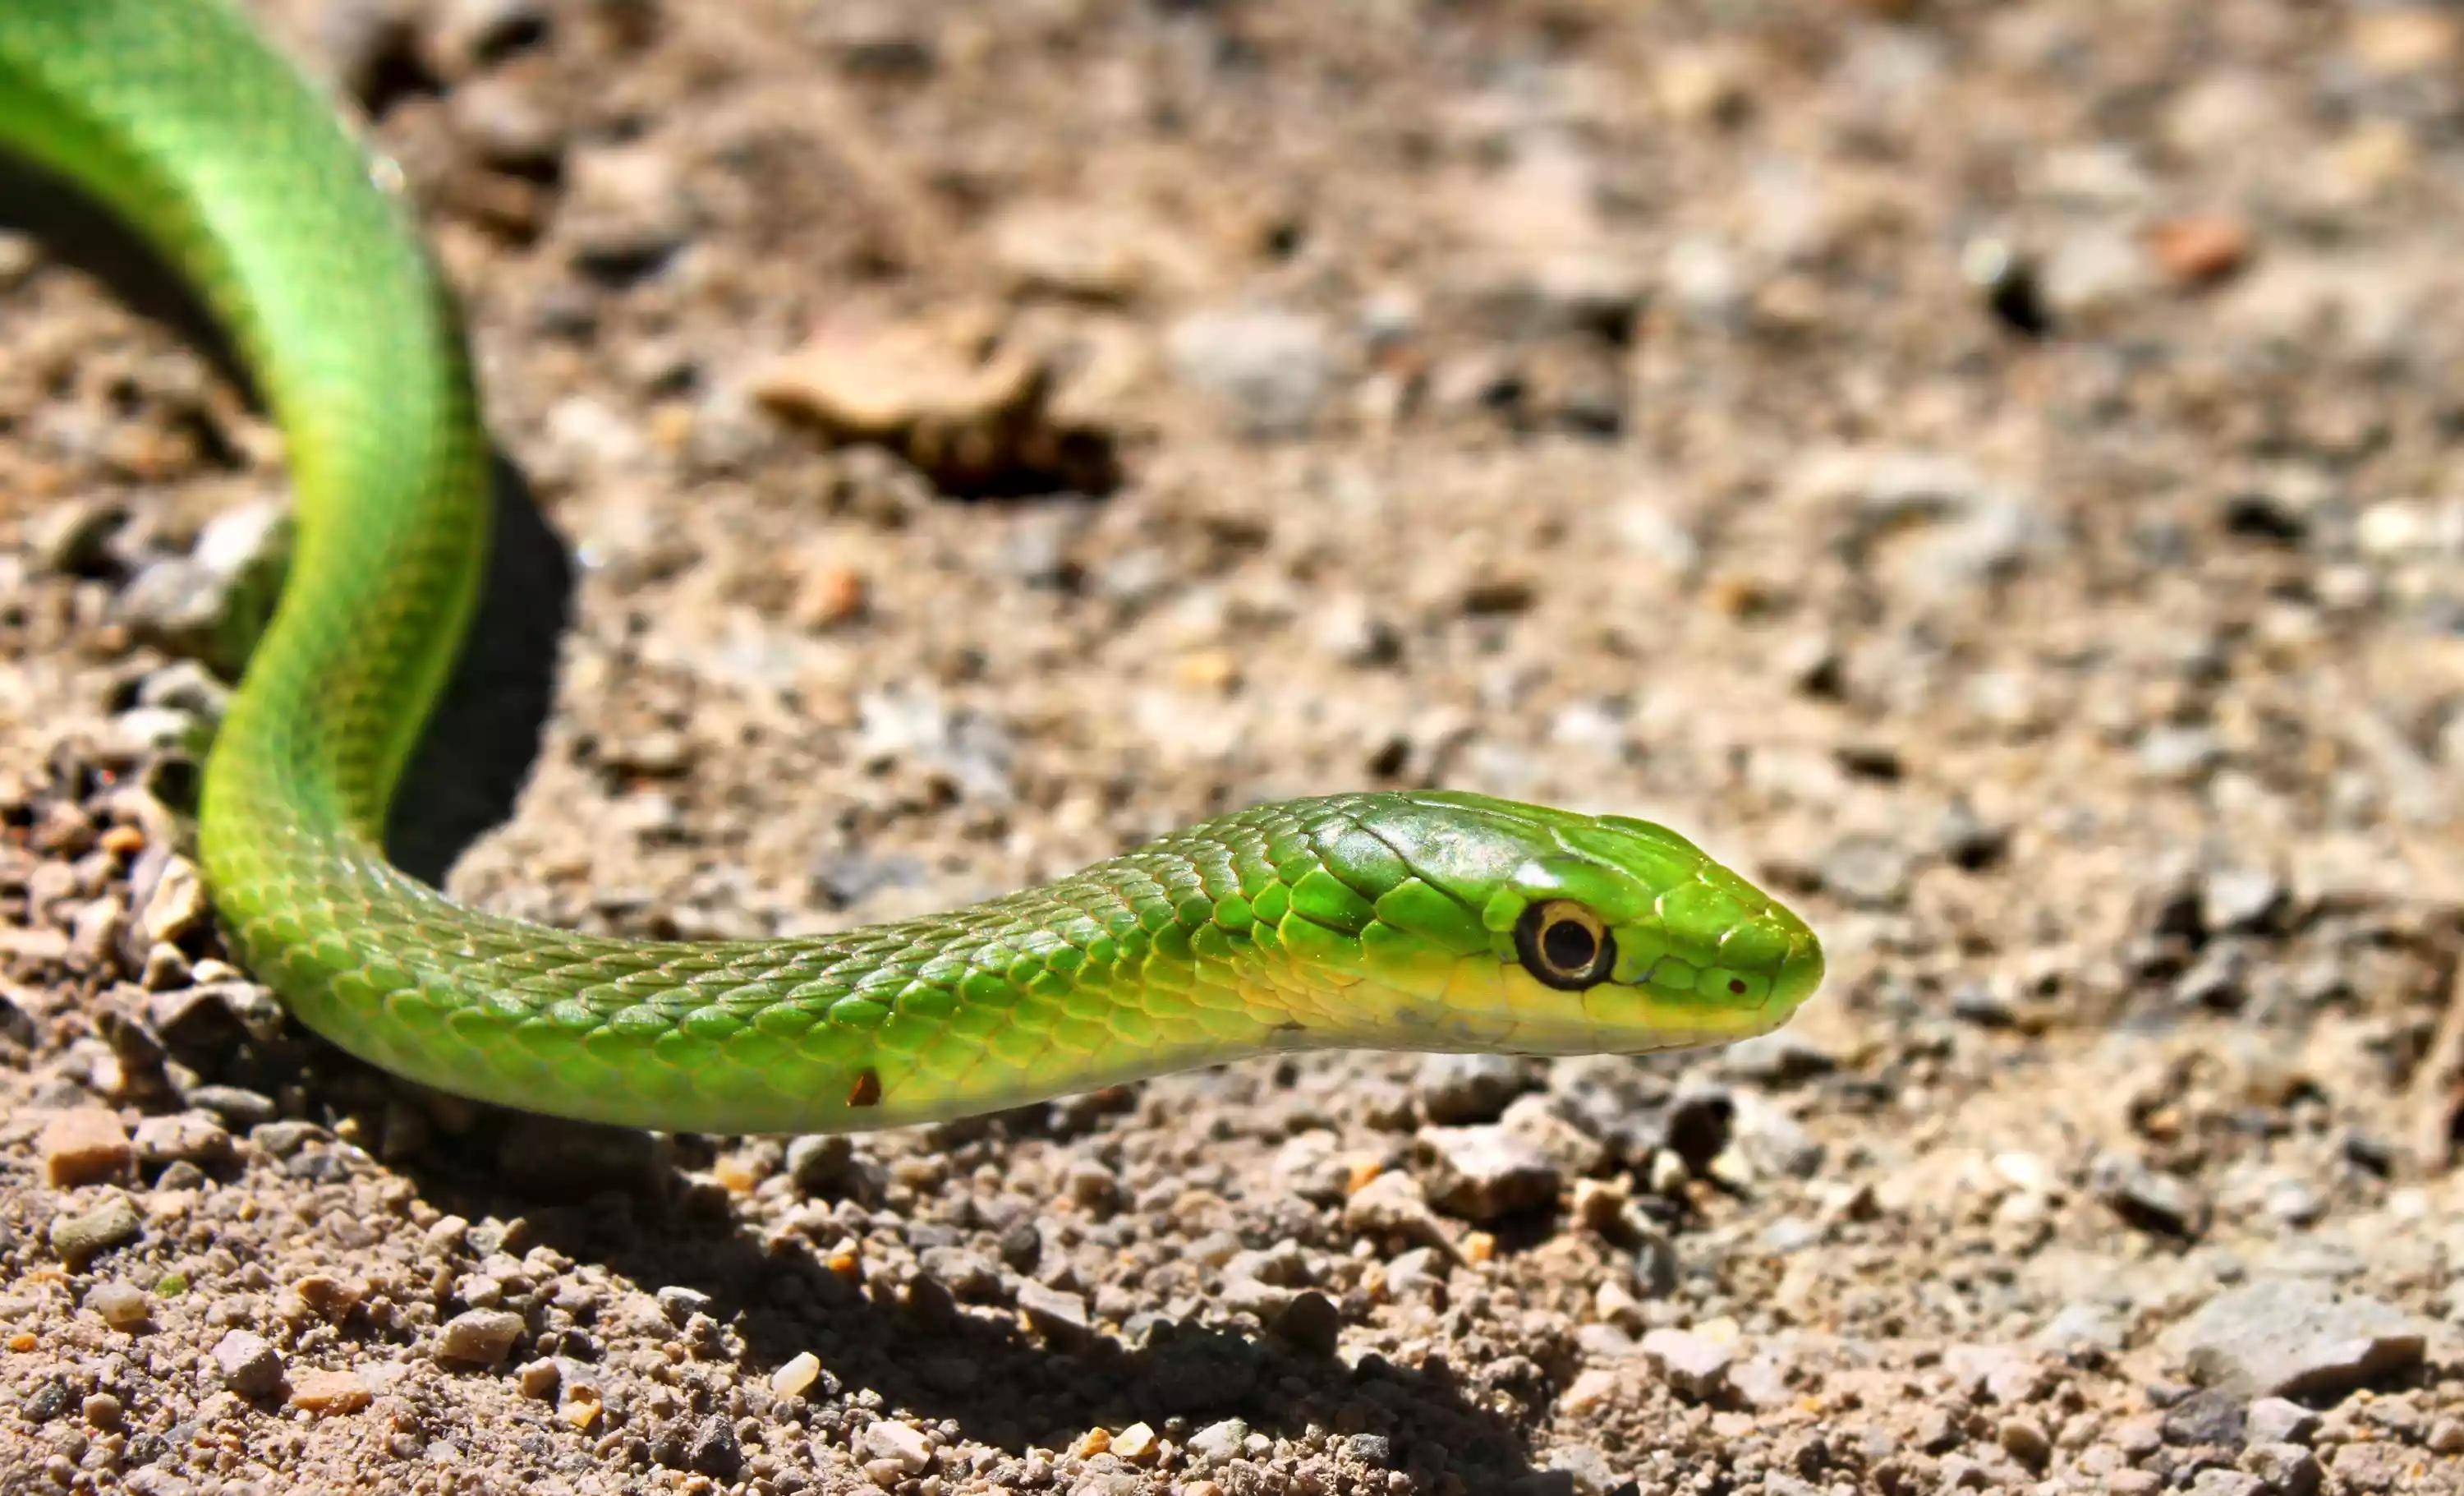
(1992,472)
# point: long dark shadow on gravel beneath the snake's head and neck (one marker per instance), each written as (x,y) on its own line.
(975,1364)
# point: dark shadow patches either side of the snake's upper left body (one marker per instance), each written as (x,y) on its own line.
(484,736)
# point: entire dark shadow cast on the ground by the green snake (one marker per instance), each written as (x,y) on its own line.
(910,1344)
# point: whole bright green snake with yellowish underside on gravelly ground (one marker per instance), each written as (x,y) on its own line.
(1359,921)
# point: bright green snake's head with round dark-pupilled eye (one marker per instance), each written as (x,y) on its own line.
(1549,933)
